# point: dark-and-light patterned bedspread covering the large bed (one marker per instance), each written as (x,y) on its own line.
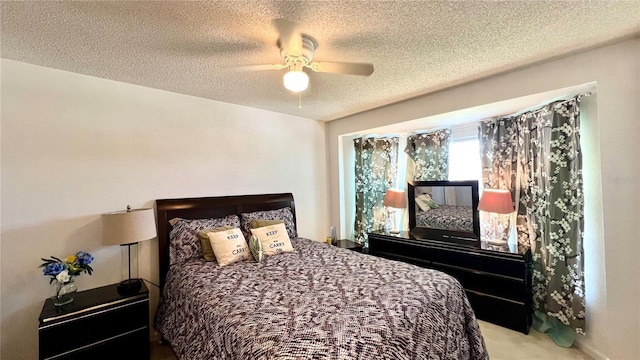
(319,302)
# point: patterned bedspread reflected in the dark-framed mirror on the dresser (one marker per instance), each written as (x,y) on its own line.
(447,217)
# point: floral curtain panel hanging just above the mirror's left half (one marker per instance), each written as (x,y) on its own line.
(430,155)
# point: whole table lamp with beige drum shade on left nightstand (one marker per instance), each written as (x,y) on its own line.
(127,228)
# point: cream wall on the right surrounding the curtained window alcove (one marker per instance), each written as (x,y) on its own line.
(611,244)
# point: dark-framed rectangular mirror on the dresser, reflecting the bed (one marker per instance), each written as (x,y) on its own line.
(444,211)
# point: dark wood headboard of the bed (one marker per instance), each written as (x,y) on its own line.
(209,207)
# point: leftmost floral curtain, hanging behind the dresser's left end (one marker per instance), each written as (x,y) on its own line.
(376,165)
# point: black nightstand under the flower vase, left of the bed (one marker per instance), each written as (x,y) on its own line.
(98,324)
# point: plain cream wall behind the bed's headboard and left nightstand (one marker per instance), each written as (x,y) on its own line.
(75,146)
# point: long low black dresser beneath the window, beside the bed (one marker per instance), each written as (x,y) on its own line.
(498,284)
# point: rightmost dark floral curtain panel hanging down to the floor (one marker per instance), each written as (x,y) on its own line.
(554,198)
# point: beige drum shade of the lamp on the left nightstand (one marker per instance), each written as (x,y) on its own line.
(127,227)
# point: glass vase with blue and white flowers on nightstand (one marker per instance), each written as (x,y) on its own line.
(62,274)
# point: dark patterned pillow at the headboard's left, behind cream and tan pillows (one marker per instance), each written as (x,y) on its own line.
(184,243)
